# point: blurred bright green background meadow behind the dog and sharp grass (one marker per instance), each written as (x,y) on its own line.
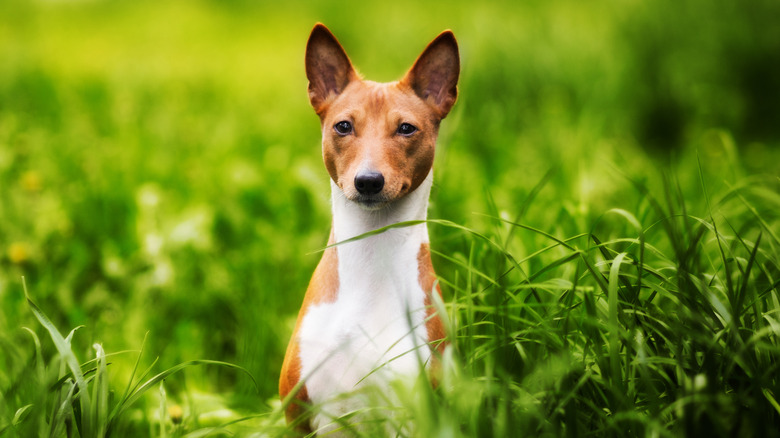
(160,166)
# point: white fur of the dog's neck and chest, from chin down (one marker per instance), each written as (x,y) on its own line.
(375,330)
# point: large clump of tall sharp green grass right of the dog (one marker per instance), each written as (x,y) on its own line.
(660,321)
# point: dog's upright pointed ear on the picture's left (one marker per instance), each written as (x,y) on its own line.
(327,67)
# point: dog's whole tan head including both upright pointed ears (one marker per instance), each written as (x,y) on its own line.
(378,140)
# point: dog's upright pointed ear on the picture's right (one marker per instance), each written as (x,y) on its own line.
(434,76)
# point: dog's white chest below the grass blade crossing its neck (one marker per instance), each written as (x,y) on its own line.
(375,329)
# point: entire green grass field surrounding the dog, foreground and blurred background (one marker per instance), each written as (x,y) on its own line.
(605,219)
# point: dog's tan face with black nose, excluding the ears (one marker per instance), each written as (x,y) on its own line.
(378,142)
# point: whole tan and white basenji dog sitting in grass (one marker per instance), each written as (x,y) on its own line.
(367,316)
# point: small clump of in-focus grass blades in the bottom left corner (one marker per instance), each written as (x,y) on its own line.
(65,397)
